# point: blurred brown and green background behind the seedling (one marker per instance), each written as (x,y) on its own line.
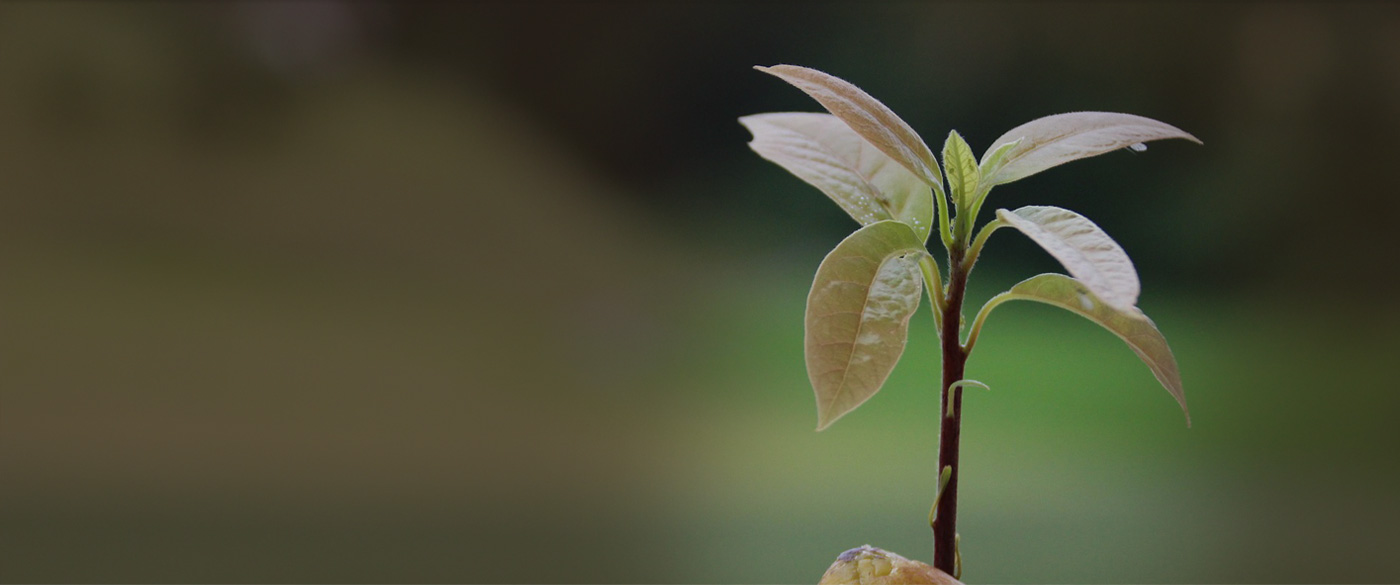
(474,292)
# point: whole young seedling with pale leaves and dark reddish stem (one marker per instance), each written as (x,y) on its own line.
(881,173)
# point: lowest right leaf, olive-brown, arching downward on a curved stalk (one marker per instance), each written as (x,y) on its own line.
(1130,325)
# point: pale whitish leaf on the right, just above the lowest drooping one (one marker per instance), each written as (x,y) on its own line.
(1083,248)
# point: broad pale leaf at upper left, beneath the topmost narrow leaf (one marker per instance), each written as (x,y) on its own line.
(828,155)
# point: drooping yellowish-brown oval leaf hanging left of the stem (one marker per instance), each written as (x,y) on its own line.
(857,316)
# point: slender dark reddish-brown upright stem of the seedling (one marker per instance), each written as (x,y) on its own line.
(955,360)
